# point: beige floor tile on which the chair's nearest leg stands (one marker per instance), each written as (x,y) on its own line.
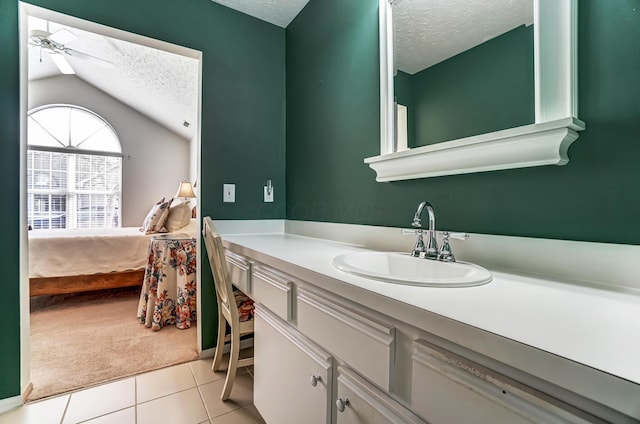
(241,395)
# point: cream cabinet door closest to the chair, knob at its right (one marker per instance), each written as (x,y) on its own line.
(292,376)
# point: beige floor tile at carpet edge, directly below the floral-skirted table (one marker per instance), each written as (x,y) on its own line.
(164,382)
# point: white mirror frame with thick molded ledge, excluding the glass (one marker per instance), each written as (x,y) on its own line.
(545,142)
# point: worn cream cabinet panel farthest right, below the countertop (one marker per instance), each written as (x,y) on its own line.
(448,388)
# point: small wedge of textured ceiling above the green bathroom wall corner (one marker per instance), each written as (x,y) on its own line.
(277,12)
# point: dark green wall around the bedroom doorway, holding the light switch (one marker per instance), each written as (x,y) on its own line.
(243,124)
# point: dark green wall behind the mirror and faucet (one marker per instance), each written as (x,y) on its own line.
(333,118)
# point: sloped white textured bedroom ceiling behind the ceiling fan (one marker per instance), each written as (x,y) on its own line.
(161,85)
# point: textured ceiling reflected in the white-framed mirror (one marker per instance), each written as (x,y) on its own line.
(427,32)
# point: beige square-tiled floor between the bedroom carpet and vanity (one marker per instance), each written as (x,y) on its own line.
(183,394)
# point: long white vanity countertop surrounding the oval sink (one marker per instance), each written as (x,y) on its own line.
(591,326)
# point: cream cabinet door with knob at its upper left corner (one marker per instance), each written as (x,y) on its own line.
(360,402)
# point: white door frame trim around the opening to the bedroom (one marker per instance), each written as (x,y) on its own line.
(27,11)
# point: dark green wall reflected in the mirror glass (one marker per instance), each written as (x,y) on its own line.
(487,88)
